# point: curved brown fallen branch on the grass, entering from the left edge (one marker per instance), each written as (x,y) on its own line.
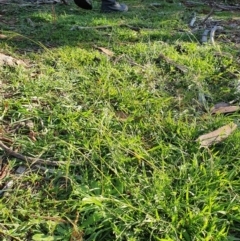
(33,160)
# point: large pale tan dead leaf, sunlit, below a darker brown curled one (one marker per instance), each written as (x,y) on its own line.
(216,136)
